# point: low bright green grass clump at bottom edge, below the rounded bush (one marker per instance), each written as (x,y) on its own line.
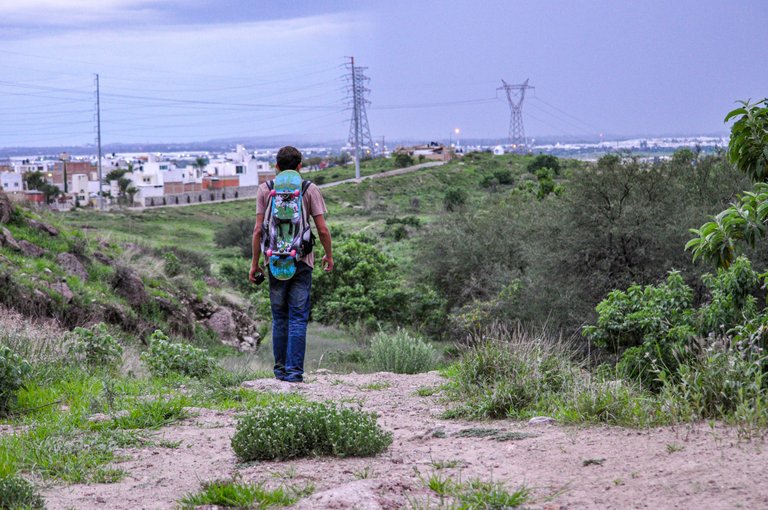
(233,494)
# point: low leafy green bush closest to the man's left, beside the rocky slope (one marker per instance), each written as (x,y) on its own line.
(165,357)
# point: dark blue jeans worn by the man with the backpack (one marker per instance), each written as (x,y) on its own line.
(290,314)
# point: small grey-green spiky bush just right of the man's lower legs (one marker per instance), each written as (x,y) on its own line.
(401,353)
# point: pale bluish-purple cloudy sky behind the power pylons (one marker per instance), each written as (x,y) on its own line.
(193,70)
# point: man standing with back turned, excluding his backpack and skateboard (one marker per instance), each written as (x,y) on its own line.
(290,298)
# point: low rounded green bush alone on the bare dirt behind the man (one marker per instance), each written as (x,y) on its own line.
(301,430)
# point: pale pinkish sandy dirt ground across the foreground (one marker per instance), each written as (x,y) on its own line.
(564,467)
